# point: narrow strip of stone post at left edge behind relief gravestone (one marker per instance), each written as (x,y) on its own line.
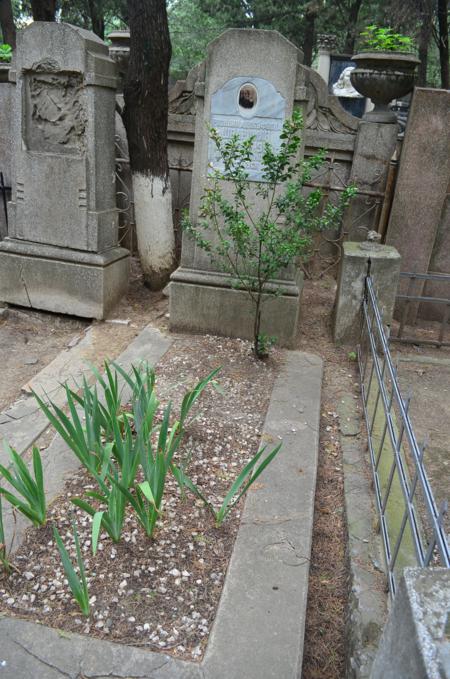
(6,96)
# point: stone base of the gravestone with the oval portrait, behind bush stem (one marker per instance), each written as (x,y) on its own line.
(205,302)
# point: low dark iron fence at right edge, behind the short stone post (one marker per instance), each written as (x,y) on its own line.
(407,307)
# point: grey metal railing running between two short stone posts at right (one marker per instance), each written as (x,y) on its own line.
(411,526)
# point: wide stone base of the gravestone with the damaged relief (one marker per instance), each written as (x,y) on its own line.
(64,281)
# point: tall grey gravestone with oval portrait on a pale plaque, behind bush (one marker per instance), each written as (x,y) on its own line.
(253,80)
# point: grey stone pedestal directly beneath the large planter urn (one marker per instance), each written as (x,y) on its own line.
(374,147)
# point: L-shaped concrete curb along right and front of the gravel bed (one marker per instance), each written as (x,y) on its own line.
(259,628)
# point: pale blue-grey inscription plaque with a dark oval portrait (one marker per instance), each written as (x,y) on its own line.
(247,106)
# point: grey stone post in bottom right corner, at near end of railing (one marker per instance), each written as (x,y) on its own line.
(415,642)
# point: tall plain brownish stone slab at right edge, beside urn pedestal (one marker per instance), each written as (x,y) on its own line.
(419,221)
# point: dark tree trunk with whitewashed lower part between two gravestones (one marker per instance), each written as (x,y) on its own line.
(145,117)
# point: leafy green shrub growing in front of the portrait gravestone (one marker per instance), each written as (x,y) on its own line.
(254,247)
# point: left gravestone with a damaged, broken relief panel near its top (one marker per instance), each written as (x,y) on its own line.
(61,252)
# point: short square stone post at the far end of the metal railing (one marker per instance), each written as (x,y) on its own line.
(385,271)
